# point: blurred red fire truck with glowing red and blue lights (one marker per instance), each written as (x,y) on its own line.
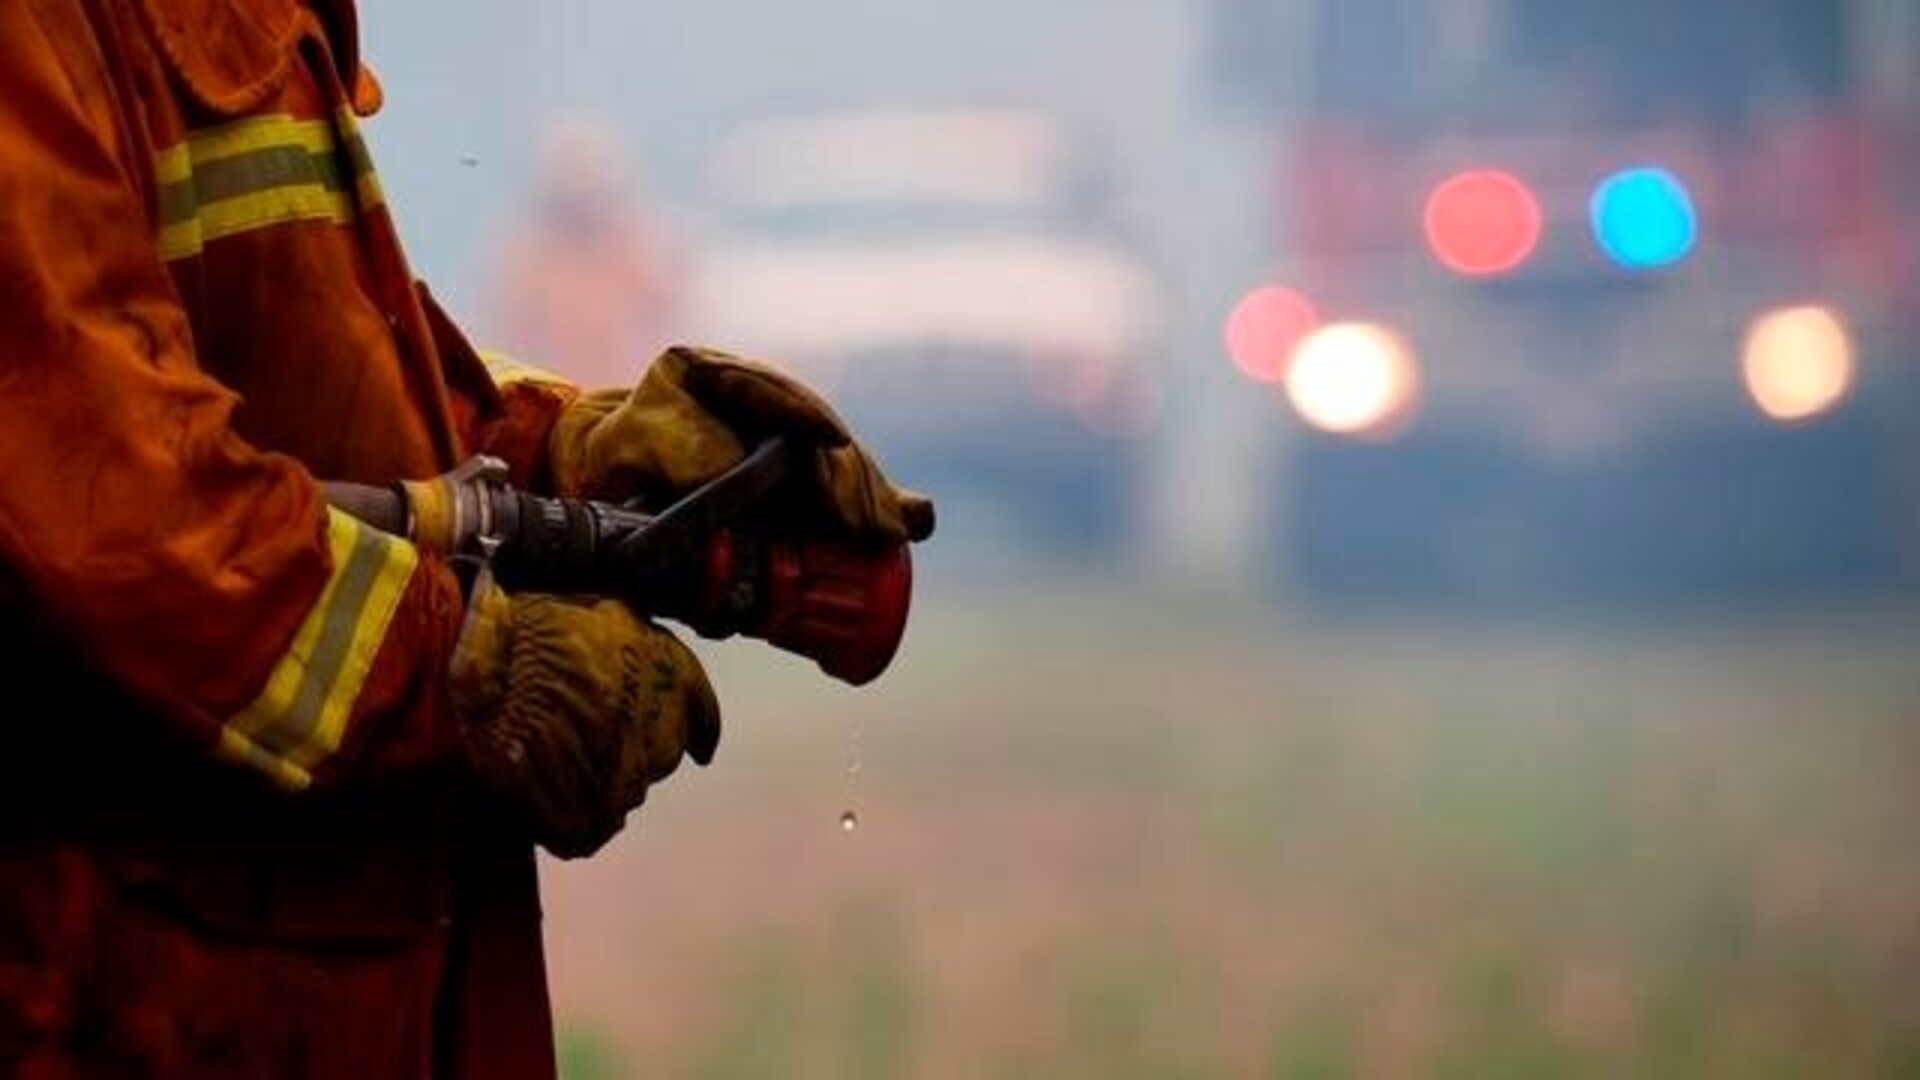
(1643,291)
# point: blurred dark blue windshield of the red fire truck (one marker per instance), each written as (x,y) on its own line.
(1623,62)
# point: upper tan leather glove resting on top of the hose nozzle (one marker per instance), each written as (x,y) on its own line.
(696,414)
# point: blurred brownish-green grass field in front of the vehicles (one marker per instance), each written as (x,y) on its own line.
(1128,833)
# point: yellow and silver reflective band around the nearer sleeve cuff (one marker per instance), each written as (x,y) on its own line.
(300,718)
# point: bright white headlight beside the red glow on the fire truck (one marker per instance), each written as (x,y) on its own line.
(1355,380)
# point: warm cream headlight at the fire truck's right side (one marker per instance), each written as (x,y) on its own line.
(1798,362)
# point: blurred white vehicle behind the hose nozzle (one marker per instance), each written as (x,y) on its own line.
(955,280)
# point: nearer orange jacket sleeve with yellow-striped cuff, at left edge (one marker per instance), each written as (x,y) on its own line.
(199,574)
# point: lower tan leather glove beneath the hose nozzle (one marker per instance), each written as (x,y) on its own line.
(573,710)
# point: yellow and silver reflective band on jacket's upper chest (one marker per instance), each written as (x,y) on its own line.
(260,172)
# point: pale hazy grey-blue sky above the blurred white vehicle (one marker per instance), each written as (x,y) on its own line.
(469,95)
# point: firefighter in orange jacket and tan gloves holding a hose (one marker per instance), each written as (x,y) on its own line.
(274,781)
